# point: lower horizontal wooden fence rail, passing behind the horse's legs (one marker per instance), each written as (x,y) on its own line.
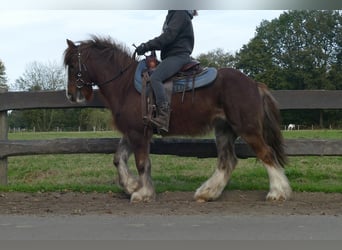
(201,148)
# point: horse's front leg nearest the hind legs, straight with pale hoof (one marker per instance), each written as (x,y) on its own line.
(146,190)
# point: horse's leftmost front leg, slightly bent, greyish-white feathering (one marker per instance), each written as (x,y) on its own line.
(126,180)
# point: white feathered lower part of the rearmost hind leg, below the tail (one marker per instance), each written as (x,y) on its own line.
(279,185)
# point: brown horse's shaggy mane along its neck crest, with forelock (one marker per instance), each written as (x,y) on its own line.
(106,45)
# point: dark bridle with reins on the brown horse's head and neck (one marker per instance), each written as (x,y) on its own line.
(80,83)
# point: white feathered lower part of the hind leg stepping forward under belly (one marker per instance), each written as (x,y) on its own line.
(213,187)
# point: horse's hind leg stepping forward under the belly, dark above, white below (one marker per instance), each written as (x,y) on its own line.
(227,160)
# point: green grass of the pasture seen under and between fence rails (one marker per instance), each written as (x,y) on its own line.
(95,172)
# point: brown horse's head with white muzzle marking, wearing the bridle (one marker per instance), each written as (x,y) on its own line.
(79,84)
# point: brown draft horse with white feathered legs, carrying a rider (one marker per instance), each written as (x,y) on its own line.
(233,105)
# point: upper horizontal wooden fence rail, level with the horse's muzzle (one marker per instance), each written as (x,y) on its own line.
(287,99)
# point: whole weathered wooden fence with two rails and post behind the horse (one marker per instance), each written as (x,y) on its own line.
(202,148)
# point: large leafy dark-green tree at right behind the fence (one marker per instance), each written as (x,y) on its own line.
(299,50)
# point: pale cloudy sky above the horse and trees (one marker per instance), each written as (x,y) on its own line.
(29,36)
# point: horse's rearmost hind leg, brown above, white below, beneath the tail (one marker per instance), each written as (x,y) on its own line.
(279,185)
